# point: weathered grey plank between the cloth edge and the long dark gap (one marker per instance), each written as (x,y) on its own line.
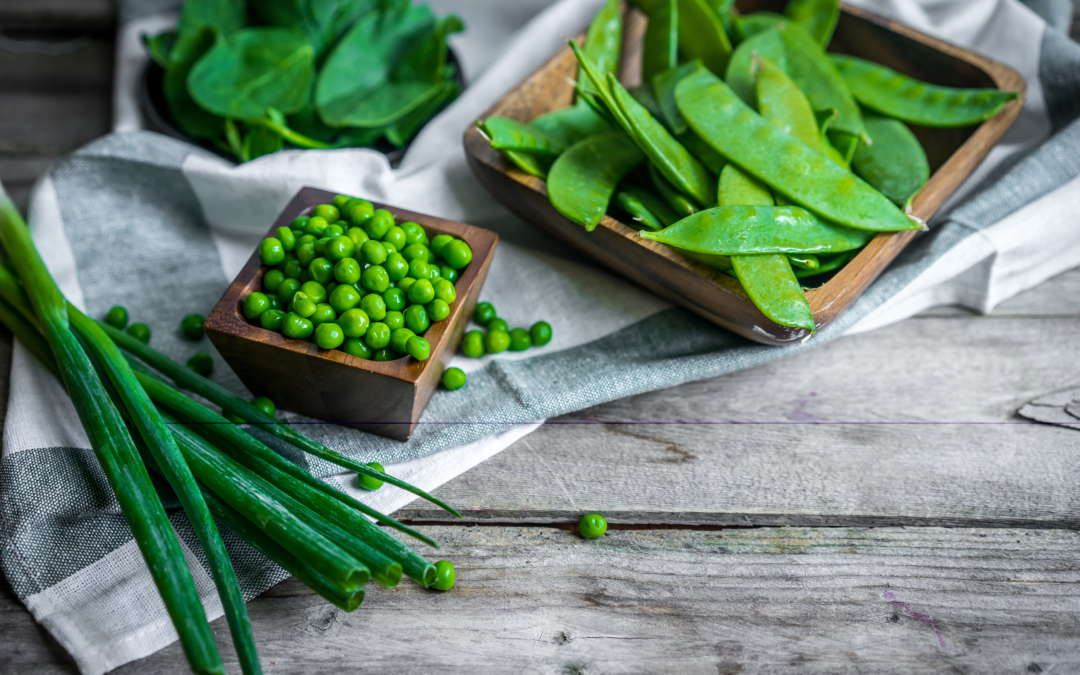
(910,425)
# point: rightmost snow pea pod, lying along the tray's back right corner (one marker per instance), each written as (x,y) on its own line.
(907,99)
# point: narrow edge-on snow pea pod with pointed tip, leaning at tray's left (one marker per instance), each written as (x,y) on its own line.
(668,155)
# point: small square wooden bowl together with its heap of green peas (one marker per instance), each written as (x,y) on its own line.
(349,310)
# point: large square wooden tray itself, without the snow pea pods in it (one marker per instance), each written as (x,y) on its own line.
(953,154)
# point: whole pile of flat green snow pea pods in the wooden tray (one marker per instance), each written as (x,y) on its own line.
(748,147)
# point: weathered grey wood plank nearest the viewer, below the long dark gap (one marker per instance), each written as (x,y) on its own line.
(761,601)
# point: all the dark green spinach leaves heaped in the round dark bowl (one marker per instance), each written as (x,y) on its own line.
(254,80)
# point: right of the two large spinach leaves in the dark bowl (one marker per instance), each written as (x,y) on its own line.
(387,66)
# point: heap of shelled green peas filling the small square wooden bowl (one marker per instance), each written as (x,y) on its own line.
(348,277)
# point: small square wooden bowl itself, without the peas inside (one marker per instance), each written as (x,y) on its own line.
(385,398)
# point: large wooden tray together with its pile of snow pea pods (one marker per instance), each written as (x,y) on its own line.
(759,163)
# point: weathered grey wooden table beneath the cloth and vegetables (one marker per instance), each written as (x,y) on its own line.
(871,506)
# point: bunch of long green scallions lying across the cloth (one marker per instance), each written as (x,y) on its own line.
(131,404)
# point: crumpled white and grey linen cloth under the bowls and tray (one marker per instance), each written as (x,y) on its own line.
(160,226)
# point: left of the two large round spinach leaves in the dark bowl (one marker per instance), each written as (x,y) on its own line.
(255,70)
